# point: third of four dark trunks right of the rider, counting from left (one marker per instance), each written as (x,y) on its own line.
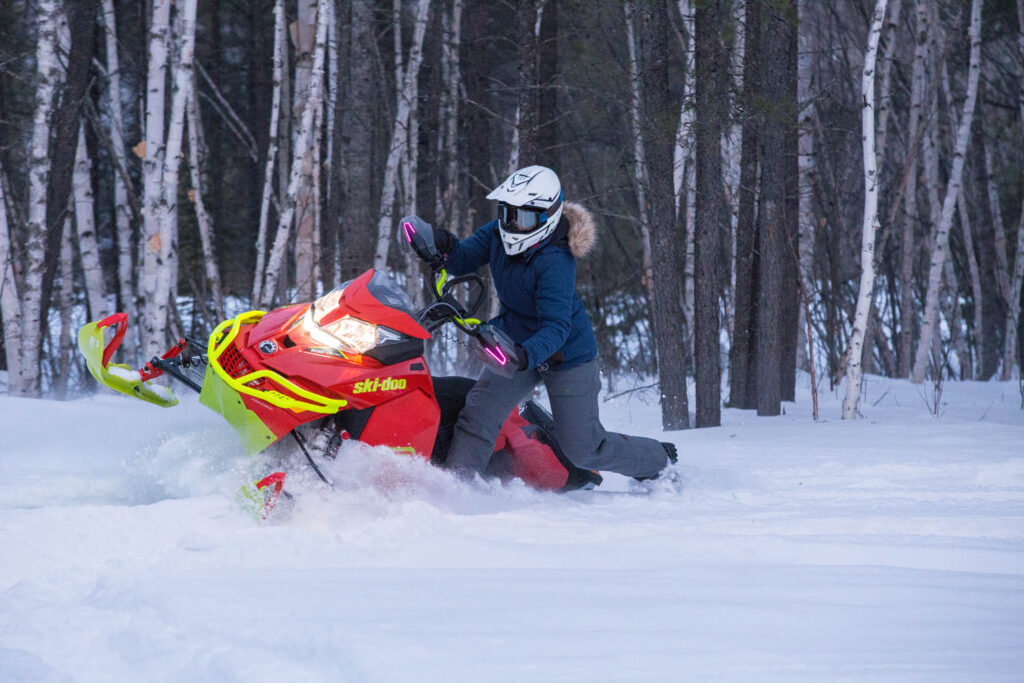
(742,357)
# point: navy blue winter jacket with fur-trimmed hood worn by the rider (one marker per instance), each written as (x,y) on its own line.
(540,309)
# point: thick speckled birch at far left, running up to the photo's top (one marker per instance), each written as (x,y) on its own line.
(49,77)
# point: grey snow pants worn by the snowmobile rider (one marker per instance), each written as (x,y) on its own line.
(578,428)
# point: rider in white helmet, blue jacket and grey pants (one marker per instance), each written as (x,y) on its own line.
(532,250)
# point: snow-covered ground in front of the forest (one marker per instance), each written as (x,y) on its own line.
(886,549)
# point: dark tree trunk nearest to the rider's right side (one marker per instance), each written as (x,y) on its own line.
(659,139)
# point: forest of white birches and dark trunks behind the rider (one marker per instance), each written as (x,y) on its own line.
(830,186)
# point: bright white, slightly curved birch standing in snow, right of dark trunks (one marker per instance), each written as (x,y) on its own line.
(871,225)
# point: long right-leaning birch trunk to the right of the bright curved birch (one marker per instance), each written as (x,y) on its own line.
(950,202)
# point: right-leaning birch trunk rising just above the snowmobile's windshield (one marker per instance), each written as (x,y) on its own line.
(400,136)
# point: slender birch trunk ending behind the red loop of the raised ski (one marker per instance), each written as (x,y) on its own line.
(122,216)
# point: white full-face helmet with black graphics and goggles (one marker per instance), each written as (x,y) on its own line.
(530,206)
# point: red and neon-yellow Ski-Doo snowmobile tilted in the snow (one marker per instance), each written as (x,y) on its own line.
(349,366)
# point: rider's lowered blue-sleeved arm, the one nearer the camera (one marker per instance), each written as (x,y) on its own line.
(556,287)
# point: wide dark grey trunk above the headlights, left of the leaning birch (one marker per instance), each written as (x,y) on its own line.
(360,207)
